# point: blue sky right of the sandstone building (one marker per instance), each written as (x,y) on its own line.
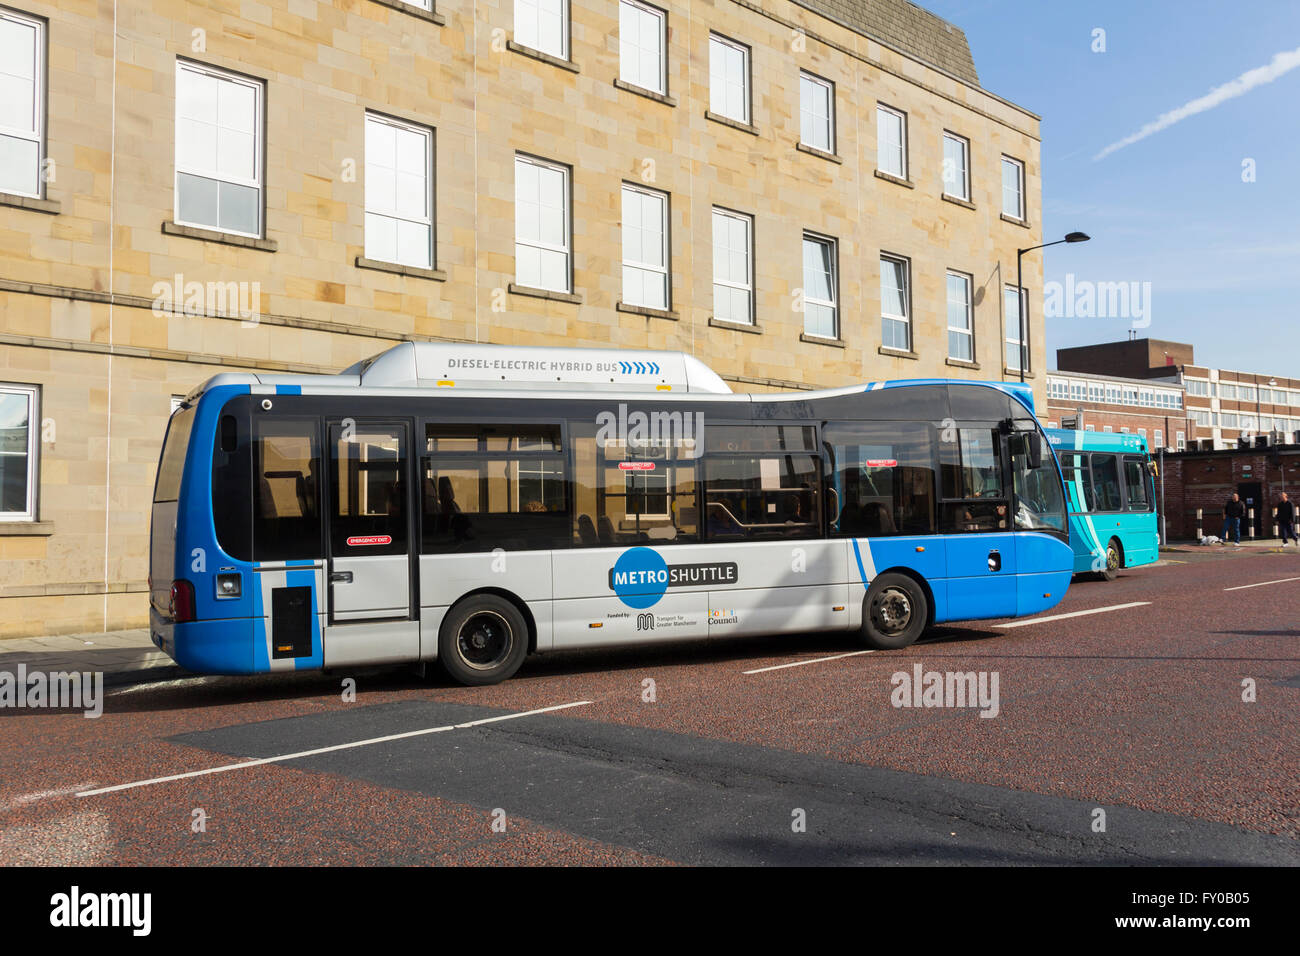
(1223,256)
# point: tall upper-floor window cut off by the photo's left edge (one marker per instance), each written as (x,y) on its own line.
(23,103)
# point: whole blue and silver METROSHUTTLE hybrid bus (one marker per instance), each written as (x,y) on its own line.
(475,504)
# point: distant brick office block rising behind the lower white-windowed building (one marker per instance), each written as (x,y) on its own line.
(1227,408)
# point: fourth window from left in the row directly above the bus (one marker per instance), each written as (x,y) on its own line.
(543,233)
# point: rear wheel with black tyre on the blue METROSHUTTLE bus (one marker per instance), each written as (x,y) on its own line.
(483,641)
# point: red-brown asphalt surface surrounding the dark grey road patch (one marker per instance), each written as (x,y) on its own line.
(1139,707)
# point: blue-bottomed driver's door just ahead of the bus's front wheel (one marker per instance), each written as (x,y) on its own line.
(977,513)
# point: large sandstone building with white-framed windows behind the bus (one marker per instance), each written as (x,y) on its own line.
(800,193)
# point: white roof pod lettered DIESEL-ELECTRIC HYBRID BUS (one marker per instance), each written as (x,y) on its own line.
(449,365)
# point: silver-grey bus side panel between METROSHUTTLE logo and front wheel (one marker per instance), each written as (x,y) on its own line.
(783,587)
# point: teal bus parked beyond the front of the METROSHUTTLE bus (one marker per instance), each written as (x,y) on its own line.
(1112,500)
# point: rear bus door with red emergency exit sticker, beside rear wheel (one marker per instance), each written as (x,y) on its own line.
(370,561)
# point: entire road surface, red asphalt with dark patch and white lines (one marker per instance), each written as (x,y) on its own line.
(1125,734)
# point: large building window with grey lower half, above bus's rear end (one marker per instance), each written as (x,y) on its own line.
(219,150)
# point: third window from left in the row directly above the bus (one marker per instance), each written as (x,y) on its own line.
(398,192)
